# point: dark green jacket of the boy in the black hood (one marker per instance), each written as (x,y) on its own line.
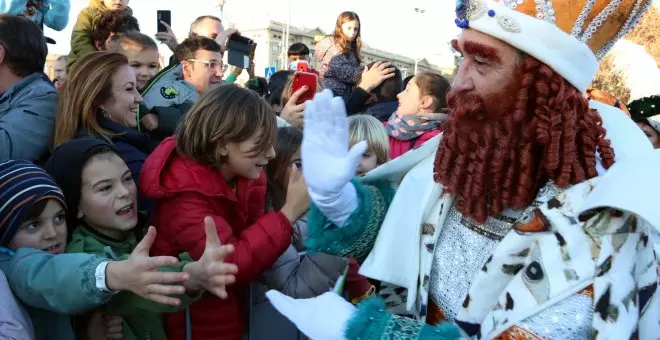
(142,318)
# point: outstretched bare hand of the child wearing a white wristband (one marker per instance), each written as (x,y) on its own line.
(139,274)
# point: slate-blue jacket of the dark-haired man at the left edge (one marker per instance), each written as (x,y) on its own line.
(27,118)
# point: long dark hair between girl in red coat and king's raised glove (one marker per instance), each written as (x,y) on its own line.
(289,140)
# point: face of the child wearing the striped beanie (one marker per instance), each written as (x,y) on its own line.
(46,232)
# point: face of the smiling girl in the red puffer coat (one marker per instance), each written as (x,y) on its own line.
(242,162)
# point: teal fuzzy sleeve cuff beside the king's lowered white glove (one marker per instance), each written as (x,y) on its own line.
(372,322)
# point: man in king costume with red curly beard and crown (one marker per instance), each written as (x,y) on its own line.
(507,225)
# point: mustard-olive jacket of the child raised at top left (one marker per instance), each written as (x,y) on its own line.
(81,36)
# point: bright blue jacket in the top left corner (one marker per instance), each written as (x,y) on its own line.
(52,13)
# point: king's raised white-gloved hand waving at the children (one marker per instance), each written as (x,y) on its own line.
(328,163)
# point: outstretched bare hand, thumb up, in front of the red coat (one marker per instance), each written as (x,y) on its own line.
(210,272)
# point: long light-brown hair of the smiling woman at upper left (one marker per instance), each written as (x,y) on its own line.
(89,85)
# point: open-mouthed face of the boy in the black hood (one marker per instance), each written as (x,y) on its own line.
(108,200)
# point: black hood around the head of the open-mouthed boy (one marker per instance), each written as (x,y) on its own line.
(66,166)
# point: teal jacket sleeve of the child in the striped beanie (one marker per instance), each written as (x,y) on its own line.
(53,287)
